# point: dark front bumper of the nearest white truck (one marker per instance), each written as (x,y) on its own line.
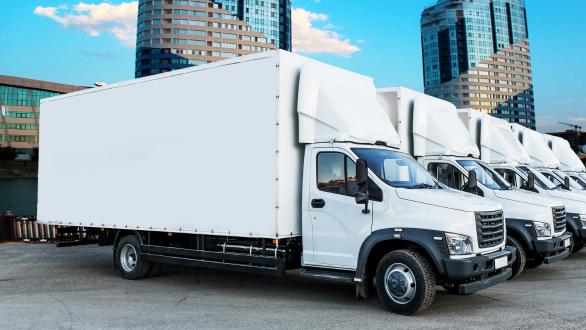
(476,273)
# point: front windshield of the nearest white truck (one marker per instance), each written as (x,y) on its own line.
(396,169)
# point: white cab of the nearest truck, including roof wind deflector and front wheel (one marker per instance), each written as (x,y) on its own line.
(371,211)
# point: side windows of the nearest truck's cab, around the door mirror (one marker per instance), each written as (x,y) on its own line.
(336,173)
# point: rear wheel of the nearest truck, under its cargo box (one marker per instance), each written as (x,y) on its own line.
(128,259)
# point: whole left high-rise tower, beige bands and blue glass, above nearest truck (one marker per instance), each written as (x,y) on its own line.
(174,34)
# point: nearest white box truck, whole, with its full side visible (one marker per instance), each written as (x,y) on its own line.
(264,163)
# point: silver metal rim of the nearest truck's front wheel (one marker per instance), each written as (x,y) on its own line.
(400,283)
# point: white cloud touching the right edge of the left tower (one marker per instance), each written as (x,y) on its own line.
(308,38)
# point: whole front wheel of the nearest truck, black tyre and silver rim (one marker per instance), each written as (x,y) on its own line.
(405,282)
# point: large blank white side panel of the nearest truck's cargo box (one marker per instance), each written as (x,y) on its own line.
(190,151)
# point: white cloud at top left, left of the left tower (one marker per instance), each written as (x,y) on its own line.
(96,19)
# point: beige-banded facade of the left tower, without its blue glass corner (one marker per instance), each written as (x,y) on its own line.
(174,34)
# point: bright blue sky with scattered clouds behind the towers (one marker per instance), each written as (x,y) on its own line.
(82,42)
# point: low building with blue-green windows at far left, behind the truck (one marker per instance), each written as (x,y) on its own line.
(19,113)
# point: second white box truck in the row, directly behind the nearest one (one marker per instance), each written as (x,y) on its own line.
(434,134)
